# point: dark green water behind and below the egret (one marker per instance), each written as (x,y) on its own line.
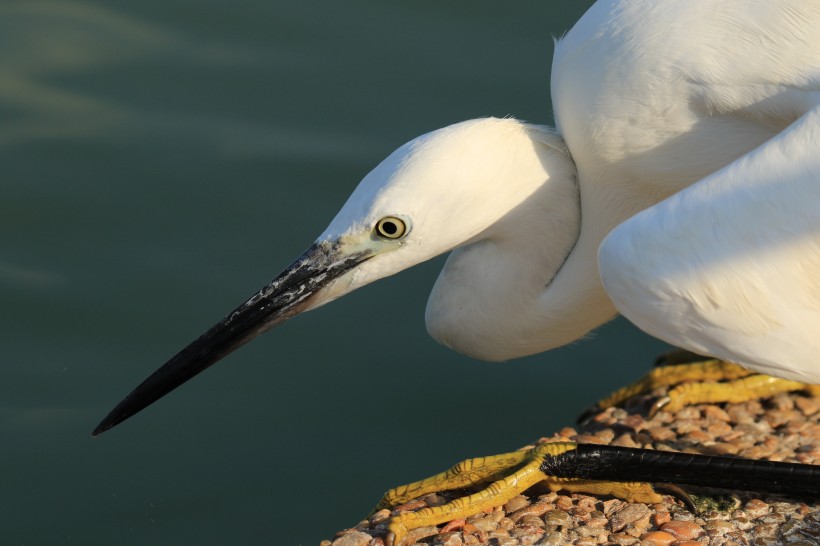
(163,159)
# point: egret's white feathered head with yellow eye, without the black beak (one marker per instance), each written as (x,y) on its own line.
(442,190)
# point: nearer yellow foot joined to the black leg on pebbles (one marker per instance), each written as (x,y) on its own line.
(507,476)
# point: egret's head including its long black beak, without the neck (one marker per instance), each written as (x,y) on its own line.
(442,190)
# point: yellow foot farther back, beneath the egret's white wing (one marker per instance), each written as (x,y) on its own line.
(702,382)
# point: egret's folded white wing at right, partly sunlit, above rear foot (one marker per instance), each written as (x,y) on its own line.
(730,266)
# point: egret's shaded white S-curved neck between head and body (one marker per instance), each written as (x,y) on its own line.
(532,297)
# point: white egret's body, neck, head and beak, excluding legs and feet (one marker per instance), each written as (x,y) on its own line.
(685,194)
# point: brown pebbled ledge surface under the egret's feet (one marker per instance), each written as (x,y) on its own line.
(783,428)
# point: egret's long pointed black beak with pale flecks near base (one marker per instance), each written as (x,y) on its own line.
(287,295)
